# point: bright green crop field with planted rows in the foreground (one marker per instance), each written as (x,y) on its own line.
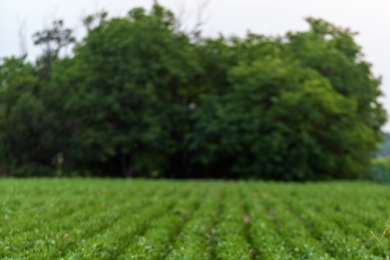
(139,219)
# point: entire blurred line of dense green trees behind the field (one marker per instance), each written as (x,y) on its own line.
(138,97)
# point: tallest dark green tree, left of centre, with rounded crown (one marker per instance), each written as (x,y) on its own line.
(132,78)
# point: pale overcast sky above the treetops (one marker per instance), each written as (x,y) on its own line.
(270,17)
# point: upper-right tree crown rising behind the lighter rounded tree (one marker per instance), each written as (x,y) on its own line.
(332,52)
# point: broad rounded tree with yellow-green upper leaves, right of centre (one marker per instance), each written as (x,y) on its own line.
(281,122)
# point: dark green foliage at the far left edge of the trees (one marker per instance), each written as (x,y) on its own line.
(26,125)
